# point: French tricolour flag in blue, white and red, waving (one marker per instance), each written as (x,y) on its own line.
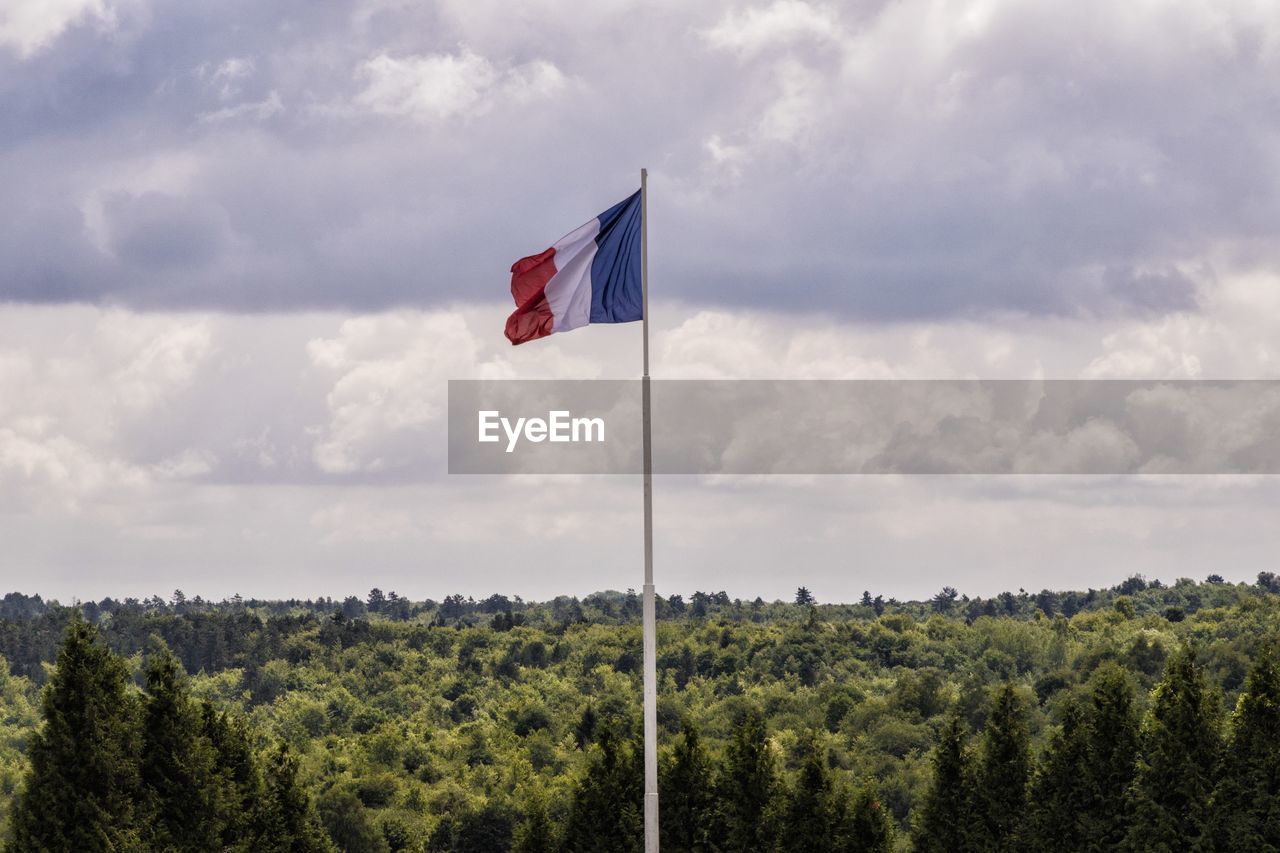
(592,275)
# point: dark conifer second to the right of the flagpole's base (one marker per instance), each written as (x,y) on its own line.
(747,790)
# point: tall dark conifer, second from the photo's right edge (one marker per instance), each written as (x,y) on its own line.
(1180,755)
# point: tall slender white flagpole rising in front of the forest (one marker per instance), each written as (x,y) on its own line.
(651,673)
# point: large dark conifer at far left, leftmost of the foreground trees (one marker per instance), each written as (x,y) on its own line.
(84,777)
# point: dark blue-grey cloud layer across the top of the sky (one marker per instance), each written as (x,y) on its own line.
(874,161)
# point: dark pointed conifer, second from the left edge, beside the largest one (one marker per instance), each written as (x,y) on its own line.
(180,792)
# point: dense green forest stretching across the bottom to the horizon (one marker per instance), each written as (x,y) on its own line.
(1141,718)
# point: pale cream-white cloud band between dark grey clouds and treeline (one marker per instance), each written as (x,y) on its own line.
(272,453)
